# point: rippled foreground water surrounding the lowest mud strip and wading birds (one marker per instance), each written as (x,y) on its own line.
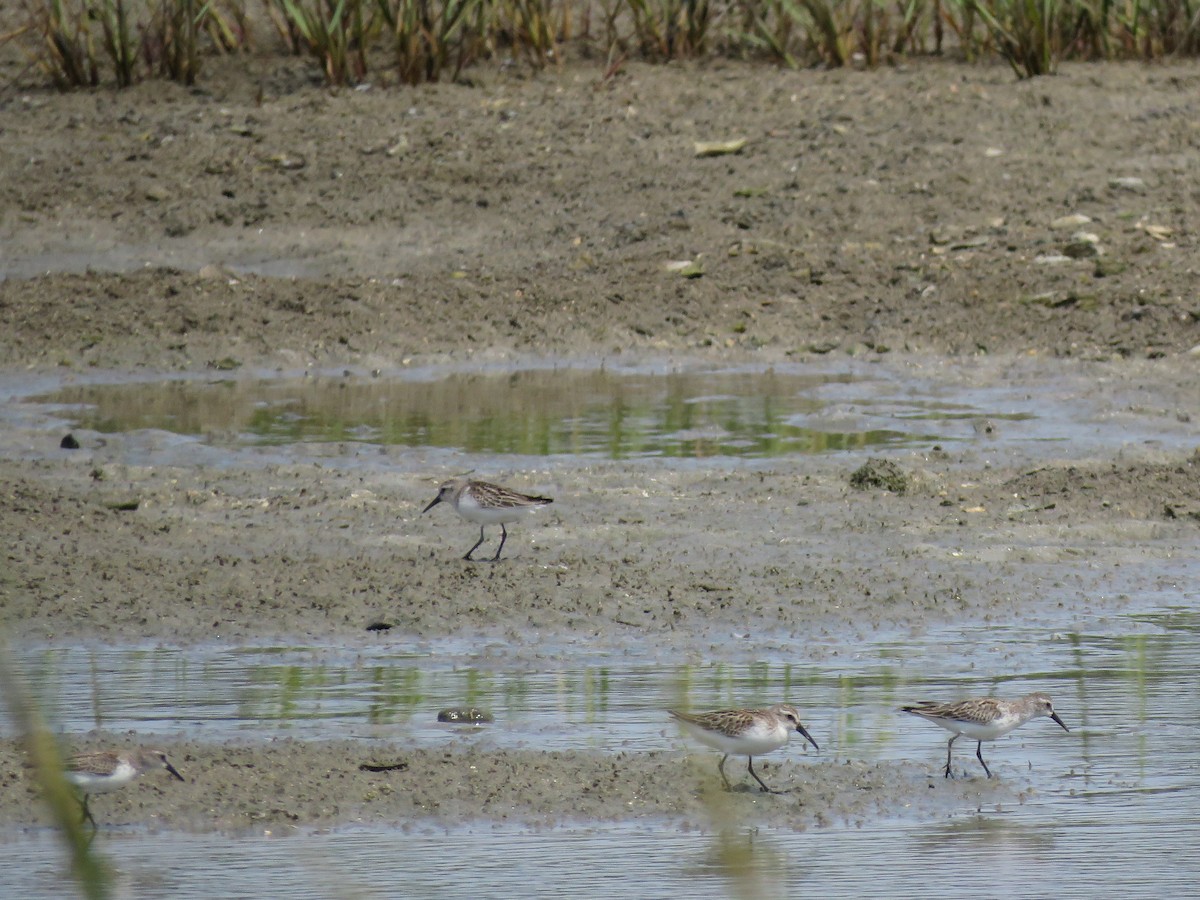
(1113,813)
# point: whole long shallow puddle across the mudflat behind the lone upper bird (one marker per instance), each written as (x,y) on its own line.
(694,413)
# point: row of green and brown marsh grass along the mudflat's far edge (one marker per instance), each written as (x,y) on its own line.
(89,43)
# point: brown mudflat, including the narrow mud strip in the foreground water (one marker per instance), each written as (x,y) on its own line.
(911,214)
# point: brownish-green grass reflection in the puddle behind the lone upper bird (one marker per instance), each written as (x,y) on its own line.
(530,412)
